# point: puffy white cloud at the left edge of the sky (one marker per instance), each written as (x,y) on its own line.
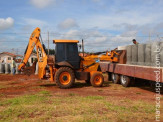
(6,23)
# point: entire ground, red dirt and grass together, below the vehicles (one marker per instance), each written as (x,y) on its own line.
(27,98)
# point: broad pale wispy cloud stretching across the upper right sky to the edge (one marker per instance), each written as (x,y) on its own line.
(138,17)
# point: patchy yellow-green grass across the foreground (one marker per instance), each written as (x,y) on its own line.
(47,106)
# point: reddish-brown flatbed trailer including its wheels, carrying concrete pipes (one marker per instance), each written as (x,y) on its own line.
(126,73)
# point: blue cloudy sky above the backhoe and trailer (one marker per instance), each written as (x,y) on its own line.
(103,24)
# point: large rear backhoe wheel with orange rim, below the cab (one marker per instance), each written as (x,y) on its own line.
(65,77)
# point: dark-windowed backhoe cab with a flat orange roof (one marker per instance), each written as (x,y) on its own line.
(66,51)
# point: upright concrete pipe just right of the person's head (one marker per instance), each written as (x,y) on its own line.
(141,54)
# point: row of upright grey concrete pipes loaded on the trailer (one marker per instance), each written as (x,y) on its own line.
(144,54)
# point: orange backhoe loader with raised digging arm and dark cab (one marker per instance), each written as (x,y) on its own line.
(67,64)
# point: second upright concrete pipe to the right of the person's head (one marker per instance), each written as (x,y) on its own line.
(148,55)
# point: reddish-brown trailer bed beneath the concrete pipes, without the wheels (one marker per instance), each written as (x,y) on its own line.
(137,71)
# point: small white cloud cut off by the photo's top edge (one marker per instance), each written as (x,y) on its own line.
(42,3)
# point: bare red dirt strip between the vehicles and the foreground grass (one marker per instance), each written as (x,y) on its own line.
(11,86)
